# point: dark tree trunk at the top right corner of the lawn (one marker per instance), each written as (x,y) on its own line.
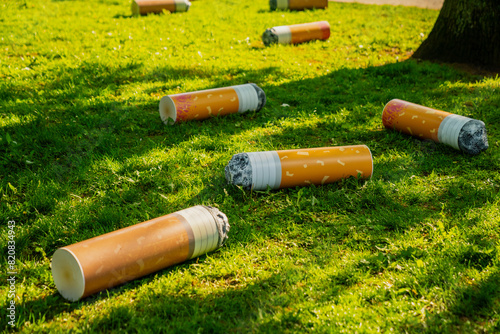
(466,31)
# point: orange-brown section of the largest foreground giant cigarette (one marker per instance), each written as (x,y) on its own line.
(120,256)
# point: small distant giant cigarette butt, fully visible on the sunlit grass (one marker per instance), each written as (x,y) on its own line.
(297,33)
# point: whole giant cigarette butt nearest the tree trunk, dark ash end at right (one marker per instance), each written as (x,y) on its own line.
(459,132)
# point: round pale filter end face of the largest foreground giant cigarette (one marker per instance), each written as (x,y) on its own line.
(68,274)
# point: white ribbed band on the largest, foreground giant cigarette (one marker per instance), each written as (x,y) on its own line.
(206,235)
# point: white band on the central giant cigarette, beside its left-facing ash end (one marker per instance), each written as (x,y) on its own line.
(266,170)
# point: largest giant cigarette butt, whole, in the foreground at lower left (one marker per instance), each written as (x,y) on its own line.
(87,267)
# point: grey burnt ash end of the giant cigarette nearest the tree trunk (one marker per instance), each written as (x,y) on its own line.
(472,137)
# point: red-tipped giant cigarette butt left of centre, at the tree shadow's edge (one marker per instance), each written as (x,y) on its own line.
(211,102)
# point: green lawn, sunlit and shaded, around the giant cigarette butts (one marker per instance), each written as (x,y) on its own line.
(83,152)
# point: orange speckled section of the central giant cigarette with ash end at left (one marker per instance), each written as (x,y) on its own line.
(324,165)
